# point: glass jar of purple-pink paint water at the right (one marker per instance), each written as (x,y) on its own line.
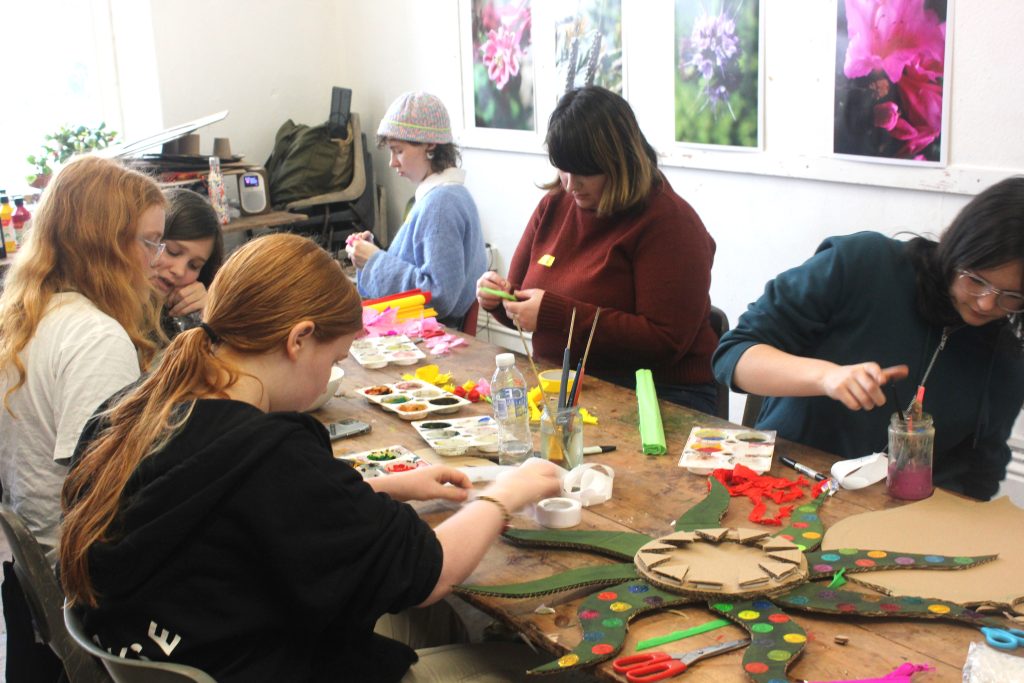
(912,442)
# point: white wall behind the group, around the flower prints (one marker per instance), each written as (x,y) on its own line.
(279,60)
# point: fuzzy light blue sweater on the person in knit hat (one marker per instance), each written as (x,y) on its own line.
(440,249)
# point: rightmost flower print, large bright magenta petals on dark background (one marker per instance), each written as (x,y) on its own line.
(890,64)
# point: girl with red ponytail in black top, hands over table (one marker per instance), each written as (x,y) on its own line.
(206,506)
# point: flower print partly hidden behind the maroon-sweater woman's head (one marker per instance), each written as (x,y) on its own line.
(589,45)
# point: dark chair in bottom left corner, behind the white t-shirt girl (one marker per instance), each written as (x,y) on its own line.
(46,600)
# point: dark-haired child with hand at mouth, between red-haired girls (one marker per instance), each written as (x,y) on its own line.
(195,251)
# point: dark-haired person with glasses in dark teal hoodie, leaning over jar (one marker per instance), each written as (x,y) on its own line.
(827,336)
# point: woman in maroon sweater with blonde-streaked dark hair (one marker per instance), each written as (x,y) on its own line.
(612,233)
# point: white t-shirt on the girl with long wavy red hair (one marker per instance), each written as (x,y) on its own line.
(78,358)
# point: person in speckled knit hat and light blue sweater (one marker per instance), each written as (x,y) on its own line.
(440,248)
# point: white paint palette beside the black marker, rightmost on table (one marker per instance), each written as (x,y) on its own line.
(712,449)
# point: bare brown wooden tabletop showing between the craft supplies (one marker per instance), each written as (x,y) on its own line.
(650,494)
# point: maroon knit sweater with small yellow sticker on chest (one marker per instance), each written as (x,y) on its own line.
(650,270)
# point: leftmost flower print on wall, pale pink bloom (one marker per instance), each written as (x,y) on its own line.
(503,75)
